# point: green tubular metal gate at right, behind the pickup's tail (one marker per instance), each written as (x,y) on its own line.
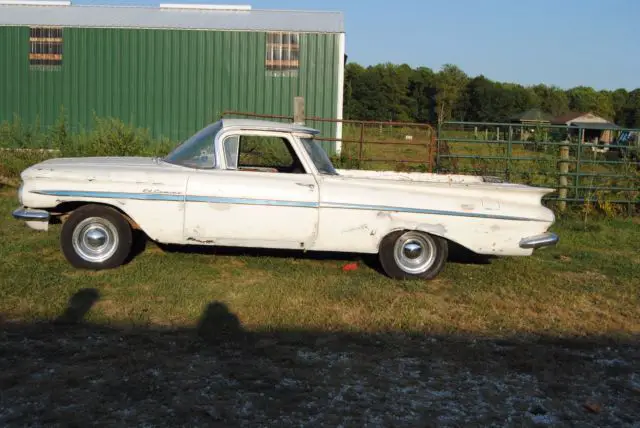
(591,164)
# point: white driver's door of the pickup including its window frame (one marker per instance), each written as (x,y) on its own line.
(261,195)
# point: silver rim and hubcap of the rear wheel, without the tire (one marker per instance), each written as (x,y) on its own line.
(415,252)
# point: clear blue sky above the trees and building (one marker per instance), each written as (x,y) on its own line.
(565,43)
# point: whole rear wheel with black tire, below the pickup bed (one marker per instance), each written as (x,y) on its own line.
(413,255)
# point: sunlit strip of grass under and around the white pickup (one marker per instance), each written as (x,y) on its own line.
(588,285)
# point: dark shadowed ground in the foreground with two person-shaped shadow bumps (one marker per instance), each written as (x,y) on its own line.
(218,373)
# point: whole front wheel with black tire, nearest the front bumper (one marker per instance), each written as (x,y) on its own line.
(96,237)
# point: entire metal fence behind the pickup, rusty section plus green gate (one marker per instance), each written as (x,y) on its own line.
(586,165)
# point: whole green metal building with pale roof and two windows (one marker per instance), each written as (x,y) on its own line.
(171,69)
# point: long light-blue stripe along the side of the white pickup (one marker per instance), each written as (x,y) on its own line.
(271,202)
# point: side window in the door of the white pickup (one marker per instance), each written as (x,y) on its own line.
(261,153)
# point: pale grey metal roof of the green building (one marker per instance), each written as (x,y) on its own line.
(147,17)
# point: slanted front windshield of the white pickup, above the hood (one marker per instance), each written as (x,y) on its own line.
(198,151)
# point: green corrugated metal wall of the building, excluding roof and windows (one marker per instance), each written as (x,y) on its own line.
(173,82)
